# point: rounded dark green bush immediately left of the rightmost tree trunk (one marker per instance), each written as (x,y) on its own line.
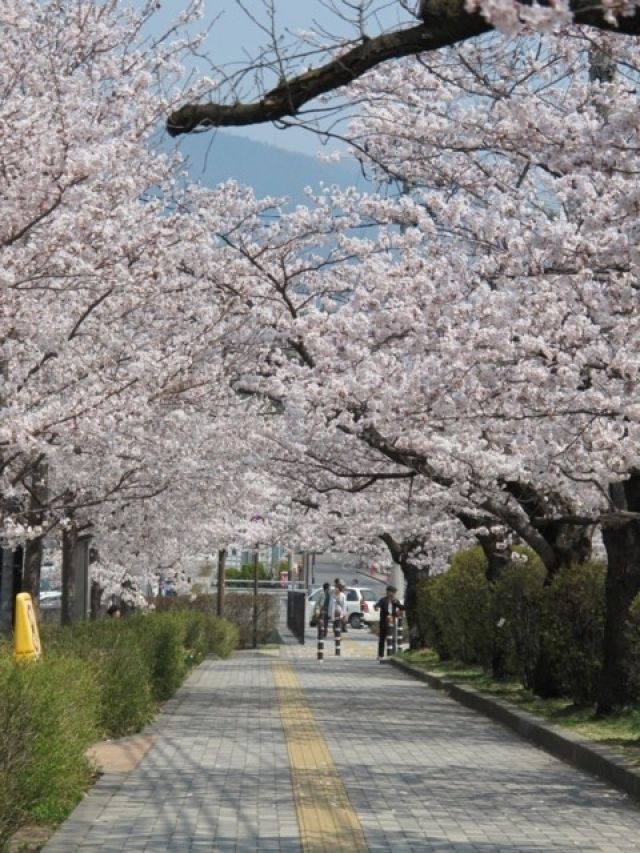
(574,613)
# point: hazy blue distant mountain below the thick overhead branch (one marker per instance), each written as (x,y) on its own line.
(271,171)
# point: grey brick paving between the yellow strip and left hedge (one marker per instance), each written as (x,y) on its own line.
(216,778)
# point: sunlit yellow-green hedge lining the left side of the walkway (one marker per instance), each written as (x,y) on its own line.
(95,680)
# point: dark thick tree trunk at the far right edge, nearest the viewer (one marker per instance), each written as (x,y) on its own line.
(622,542)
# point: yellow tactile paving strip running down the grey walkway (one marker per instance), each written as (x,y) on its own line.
(326,818)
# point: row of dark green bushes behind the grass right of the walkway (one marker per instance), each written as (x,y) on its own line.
(466,618)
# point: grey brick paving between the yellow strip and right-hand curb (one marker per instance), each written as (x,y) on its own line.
(425,774)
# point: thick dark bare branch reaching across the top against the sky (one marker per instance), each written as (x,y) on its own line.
(445,23)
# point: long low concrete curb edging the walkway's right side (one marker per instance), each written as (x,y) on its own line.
(595,759)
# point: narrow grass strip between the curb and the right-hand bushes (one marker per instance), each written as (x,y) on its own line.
(620,731)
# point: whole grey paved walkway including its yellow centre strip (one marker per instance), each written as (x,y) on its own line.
(274,751)
